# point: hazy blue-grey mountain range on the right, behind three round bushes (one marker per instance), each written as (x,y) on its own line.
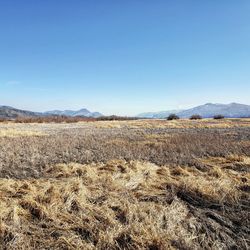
(208,110)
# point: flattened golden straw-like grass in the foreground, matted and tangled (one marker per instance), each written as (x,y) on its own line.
(127,205)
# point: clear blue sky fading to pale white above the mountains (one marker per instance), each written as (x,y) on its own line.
(123,57)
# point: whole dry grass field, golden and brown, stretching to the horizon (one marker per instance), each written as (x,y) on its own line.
(145,184)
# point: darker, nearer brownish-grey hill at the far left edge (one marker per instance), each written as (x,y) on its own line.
(9,112)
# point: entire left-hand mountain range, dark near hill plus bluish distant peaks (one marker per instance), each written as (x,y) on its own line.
(11,113)
